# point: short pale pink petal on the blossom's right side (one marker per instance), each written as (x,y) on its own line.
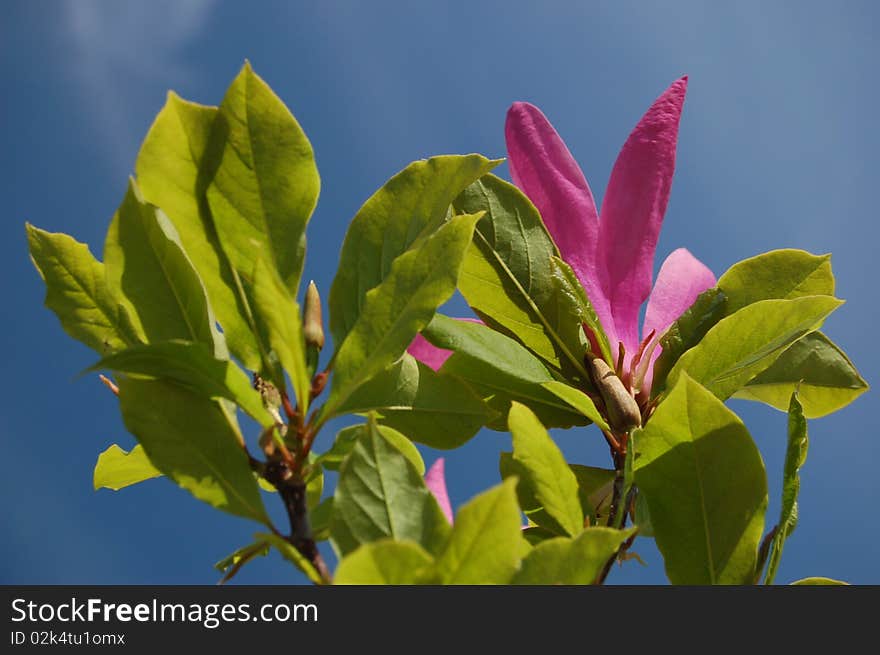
(681,279)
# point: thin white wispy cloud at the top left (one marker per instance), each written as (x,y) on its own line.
(123,54)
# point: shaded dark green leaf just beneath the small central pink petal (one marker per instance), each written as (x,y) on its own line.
(440,411)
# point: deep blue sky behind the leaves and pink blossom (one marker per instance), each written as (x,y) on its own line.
(778,148)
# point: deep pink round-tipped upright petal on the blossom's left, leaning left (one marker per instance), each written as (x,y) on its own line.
(543,168)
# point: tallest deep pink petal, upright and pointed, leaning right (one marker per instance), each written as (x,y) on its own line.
(633,208)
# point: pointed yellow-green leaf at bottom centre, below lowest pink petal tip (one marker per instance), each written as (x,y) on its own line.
(486,544)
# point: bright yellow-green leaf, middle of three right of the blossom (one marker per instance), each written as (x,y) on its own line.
(747,342)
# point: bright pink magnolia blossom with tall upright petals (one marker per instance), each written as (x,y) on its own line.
(611,252)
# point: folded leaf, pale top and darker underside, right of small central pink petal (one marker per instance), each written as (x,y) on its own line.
(500,370)
